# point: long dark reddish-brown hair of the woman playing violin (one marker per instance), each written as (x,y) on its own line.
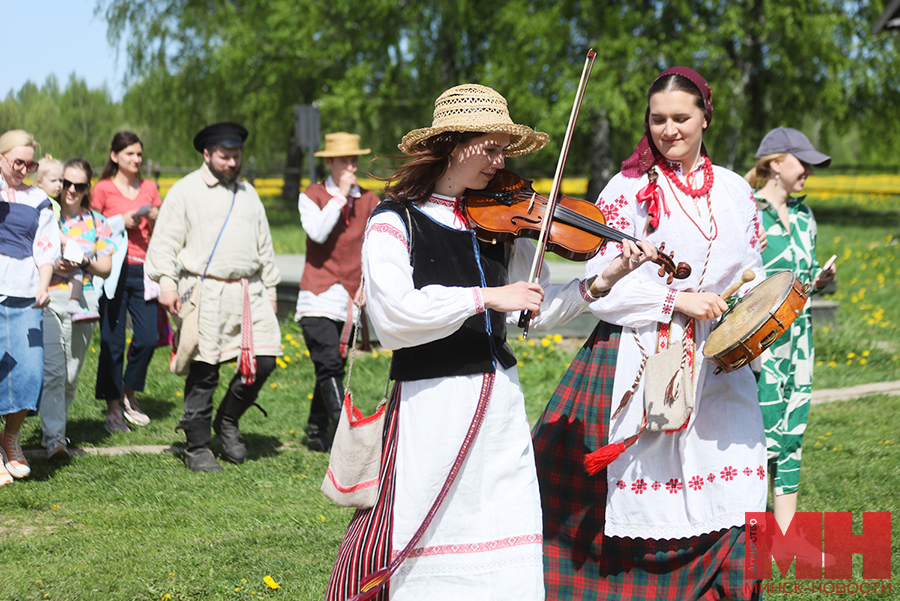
(414,180)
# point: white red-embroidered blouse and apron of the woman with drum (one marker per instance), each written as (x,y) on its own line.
(702,478)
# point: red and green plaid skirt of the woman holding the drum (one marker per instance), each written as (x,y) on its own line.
(579,561)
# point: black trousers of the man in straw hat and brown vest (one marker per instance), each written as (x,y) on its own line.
(323,340)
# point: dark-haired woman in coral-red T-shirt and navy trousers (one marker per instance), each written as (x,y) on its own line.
(122,192)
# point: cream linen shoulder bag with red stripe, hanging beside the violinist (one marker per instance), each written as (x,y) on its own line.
(355,461)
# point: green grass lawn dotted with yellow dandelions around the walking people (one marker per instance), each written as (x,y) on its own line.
(142,527)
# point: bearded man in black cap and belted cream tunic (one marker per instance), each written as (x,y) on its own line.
(212,255)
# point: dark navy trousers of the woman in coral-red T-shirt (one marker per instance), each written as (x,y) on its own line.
(129,299)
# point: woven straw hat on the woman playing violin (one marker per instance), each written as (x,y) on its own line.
(474,108)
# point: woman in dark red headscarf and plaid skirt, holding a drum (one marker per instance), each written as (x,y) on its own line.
(663,514)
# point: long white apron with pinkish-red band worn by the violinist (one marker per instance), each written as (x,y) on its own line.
(485,542)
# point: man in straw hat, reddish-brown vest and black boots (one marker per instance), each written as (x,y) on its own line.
(334,215)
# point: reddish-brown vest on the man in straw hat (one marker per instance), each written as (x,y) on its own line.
(339,258)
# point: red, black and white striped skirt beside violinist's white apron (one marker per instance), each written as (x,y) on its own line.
(366,547)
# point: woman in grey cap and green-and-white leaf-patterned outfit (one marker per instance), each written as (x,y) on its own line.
(783,162)
